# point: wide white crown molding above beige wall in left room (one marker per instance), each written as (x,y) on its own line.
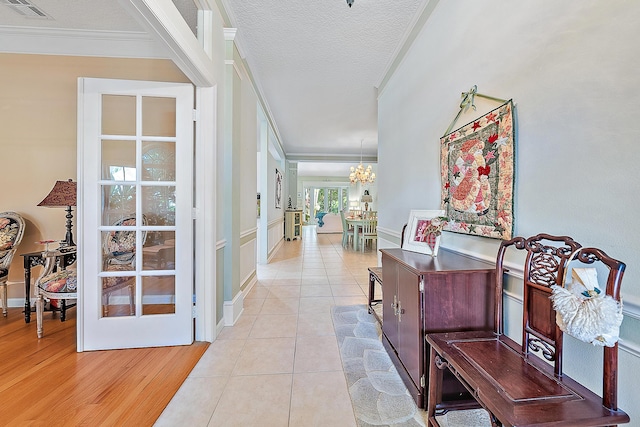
(54,41)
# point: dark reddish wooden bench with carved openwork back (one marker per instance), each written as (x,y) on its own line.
(523,384)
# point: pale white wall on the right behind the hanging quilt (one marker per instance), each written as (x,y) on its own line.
(571,68)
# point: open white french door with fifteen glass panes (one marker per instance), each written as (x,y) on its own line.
(135,198)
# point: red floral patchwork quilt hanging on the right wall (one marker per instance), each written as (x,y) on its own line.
(477,169)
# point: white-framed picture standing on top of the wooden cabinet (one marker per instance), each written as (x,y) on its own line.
(423,231)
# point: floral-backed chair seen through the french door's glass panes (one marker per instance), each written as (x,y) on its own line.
(119,255)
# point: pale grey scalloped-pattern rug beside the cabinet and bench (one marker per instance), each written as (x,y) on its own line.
(378,395)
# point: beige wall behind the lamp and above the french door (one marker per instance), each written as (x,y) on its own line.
(38,133)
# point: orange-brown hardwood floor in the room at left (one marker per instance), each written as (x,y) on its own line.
(41,377)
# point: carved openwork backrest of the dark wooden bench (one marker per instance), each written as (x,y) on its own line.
(545,265)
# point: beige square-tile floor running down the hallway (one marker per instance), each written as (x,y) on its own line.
(279,364)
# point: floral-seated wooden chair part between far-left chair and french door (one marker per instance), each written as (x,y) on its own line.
(60,285)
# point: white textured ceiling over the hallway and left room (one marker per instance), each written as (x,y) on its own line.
(316,62)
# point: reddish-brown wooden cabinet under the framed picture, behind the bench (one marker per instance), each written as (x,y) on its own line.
(423,294)
